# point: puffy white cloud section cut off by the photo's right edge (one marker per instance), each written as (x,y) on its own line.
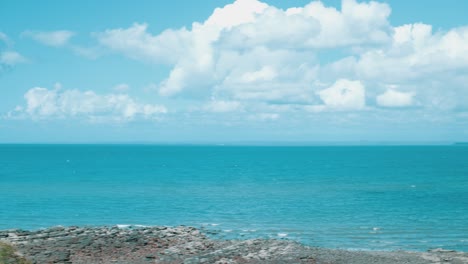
(415,52)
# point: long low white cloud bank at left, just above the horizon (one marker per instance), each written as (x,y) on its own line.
(43,103)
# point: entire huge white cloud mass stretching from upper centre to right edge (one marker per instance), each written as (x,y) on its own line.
(315,58)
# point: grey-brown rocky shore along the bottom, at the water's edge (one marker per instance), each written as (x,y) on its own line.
(133,244)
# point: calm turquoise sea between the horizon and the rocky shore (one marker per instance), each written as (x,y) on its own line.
(371,197)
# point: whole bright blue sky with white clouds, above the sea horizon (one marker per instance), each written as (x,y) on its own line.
(233,71)
